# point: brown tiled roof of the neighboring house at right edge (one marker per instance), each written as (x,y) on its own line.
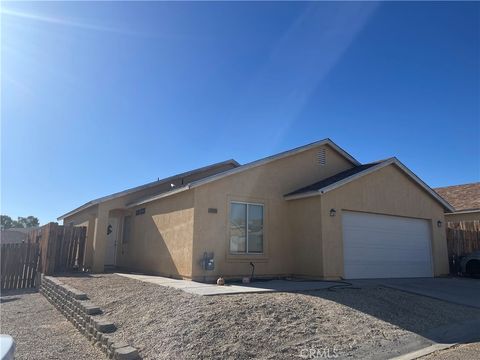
(464,198)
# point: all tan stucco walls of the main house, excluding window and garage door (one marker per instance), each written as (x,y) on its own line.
(300,237)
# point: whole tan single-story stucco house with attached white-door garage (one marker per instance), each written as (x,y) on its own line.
(313,211)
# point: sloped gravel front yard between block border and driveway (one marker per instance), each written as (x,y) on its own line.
(166,323)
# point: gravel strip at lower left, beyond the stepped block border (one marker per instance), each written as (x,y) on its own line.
(41,331)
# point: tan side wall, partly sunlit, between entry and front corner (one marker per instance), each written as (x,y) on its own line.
(161,239)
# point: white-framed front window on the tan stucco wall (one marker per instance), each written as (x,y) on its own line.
(246,228)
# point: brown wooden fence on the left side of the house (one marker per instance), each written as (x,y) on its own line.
(49,249)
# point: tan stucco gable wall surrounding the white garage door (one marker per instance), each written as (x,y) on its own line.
(386,191)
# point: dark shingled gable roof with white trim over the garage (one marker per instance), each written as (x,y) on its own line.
(349,175)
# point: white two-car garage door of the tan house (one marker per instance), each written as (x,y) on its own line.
(381,246)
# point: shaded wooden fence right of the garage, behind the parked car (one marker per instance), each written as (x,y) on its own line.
(463,238)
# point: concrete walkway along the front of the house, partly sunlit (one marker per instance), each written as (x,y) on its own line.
(229,289)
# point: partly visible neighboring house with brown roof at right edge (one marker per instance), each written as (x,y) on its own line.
(465,199)
